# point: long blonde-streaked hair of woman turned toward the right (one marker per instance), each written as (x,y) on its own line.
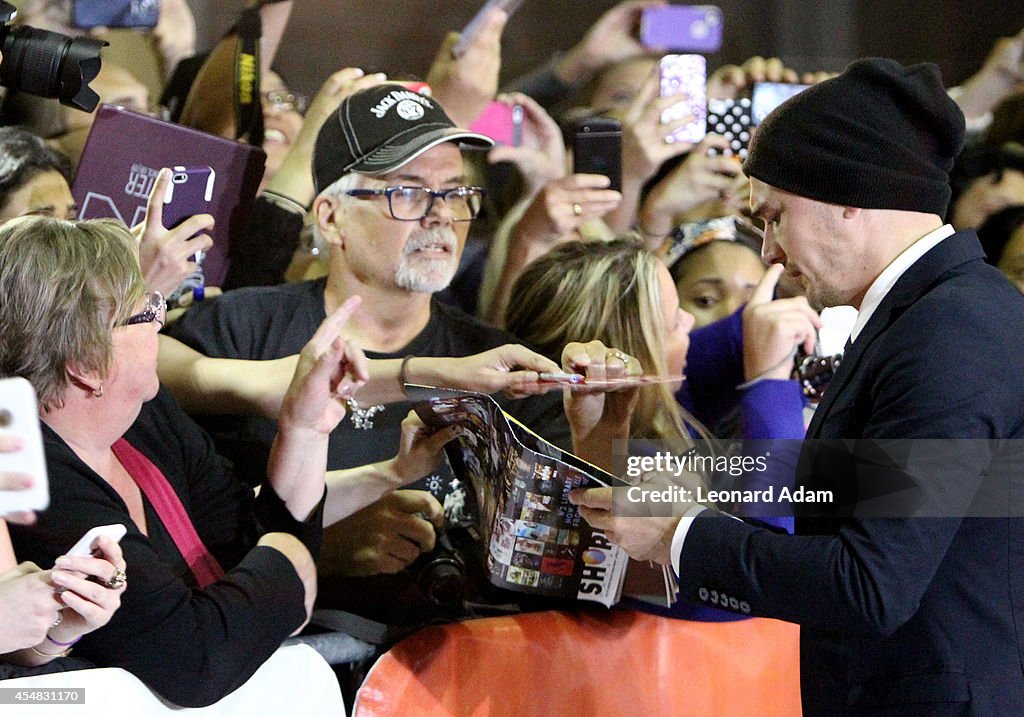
(609,291)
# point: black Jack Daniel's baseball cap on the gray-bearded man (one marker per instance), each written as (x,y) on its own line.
(380,130)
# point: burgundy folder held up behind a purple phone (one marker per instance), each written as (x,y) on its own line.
(126,150)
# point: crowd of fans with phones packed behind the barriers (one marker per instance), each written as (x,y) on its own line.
(379,251)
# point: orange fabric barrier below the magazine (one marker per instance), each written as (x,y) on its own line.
(588,664)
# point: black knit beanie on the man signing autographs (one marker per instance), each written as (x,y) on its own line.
(877,137)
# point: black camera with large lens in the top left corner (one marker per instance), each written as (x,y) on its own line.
(49,65)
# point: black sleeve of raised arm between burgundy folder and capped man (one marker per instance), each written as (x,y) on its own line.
(262,255)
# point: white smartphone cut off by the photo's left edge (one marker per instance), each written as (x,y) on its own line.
(20,417)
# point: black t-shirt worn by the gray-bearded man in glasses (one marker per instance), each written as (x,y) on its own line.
(264,323)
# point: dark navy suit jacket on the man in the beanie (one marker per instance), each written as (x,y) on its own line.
(901,616)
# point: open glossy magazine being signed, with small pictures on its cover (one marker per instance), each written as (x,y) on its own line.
(537,540)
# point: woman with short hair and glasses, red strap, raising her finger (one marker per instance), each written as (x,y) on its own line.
(218,578)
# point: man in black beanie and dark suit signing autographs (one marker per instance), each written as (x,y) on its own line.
(903,612)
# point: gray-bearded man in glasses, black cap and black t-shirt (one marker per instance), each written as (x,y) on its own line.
(395,208)
